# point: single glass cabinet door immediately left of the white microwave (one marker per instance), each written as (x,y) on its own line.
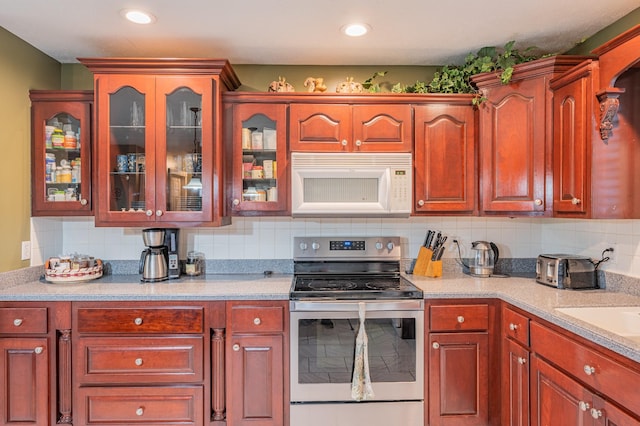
(261,159)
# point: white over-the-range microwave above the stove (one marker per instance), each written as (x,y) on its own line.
(351,184)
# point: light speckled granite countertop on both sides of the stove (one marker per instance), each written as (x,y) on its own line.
(524,293)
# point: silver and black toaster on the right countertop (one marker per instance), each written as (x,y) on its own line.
(566,271)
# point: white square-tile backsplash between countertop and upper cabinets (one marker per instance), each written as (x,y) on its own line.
(271,237)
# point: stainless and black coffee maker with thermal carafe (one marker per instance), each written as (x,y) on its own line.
(159,261)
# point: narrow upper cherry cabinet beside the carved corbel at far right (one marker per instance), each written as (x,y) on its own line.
(573,131)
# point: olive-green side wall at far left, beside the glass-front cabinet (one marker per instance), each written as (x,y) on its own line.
(22,67)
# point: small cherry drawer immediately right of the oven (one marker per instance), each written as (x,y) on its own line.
(459,317)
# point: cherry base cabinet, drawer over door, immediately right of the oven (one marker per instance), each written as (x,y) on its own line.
(459,364)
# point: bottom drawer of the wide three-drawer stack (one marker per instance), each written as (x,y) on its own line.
(140,406)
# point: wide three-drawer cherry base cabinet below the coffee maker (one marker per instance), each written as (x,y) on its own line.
(139,364)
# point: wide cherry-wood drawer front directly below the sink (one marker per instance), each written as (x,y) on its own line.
(618,382)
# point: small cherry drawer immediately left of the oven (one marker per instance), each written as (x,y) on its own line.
(257,319)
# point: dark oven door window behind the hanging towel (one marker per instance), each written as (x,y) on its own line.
(326,349)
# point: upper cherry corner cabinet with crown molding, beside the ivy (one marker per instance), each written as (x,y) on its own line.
(515,136)
